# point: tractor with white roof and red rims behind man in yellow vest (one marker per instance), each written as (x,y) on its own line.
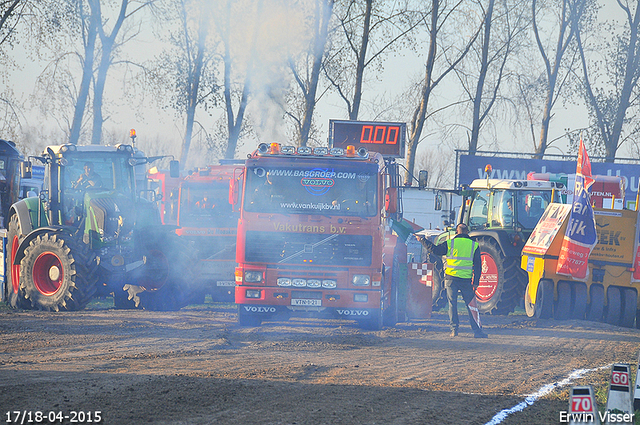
(501,214)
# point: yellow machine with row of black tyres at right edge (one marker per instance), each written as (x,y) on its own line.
(610,292)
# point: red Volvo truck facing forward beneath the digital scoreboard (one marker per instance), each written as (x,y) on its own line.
(314,234)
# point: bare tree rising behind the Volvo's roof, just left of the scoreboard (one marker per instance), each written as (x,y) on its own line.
(306,73)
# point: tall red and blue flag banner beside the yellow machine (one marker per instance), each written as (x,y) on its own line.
(580,236)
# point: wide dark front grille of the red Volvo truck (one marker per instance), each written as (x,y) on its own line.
(308,249)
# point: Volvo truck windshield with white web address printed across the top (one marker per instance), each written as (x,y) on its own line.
(339,188)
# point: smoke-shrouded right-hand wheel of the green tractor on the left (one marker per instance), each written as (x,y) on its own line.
(169,274)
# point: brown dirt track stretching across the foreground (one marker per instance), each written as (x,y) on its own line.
(197,366)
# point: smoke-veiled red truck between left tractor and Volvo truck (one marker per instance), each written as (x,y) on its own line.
(199,205)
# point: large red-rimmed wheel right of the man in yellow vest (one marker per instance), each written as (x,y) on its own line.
(502,282)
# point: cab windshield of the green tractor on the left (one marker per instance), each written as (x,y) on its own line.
(98,171)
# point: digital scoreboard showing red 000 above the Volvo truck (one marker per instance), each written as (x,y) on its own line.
(386,138)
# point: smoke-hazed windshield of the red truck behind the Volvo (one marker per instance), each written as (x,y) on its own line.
(206,205)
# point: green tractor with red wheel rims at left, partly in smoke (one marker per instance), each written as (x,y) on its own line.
(89,235)
